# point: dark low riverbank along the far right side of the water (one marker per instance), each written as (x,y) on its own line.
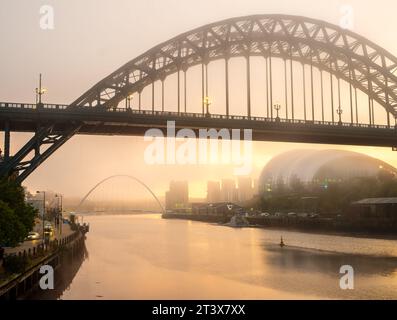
(364,229)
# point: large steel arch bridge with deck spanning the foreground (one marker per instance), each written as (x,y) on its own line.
(335,54)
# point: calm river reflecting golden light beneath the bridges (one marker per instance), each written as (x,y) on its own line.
(146,257)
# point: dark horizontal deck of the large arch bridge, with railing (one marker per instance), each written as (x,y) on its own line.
(96,121)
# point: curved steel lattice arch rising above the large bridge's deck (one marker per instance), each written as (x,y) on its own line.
(347,55)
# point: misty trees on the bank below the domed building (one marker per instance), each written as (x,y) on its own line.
(329,197)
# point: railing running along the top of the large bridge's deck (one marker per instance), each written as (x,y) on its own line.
(62,107)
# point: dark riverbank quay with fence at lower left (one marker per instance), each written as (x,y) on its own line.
(18,285)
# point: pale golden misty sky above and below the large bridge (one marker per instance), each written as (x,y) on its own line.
(92,38)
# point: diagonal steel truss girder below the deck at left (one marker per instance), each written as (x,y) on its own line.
(44,137)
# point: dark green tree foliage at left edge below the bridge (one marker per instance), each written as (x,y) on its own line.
(16,217)
